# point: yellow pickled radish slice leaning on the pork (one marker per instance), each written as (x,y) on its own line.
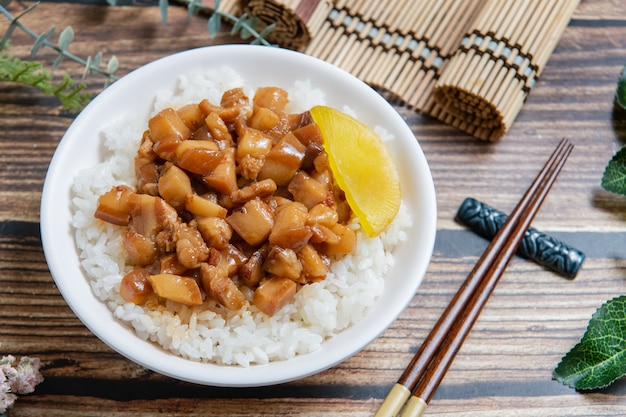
(362,166)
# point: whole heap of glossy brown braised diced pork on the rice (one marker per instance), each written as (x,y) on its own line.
(231,198)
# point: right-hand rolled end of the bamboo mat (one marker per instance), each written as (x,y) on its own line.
(521,30)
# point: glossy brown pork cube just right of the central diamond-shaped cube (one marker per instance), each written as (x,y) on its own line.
(290,229)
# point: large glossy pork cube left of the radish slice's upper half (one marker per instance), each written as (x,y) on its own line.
(284,160)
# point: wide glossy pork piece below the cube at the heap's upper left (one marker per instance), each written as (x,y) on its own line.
(198,156)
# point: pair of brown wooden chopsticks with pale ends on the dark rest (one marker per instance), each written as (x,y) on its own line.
(427,368)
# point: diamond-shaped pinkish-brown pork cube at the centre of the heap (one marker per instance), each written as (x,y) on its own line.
(253,221)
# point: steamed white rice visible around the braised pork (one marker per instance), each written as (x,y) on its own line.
(210,333)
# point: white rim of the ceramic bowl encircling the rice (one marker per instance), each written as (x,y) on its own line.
(114,333)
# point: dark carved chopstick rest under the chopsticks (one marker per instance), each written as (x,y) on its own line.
(545,250)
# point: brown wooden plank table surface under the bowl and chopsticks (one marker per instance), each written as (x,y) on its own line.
(505,366)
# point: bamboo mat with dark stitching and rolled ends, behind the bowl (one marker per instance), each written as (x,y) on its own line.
(469,63)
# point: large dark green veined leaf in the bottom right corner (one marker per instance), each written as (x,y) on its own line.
(600,356)
